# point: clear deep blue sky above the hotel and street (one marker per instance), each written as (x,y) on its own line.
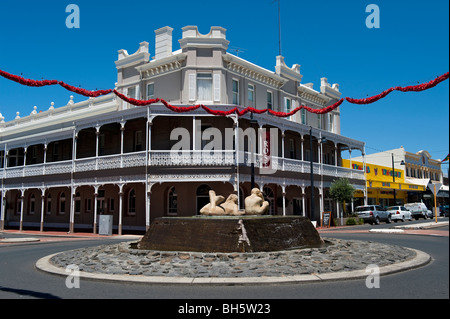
(327,38)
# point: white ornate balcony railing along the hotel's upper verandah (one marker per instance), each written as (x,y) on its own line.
(176,159)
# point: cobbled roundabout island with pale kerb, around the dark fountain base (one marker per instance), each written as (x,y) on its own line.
(338,260)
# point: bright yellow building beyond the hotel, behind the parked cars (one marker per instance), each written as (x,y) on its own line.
(381,185)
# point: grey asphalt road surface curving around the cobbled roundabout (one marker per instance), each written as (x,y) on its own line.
(19,279)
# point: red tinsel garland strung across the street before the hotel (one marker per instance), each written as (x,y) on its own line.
(183,109)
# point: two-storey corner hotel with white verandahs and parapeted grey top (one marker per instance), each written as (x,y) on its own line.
(63,167)
